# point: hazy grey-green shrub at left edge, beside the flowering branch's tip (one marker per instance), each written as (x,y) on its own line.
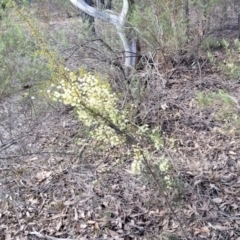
(20,66)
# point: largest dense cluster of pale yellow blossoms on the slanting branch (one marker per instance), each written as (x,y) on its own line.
(95,105)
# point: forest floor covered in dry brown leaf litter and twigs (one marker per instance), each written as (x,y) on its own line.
(52,187)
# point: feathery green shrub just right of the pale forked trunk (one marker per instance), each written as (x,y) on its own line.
(164,20)
